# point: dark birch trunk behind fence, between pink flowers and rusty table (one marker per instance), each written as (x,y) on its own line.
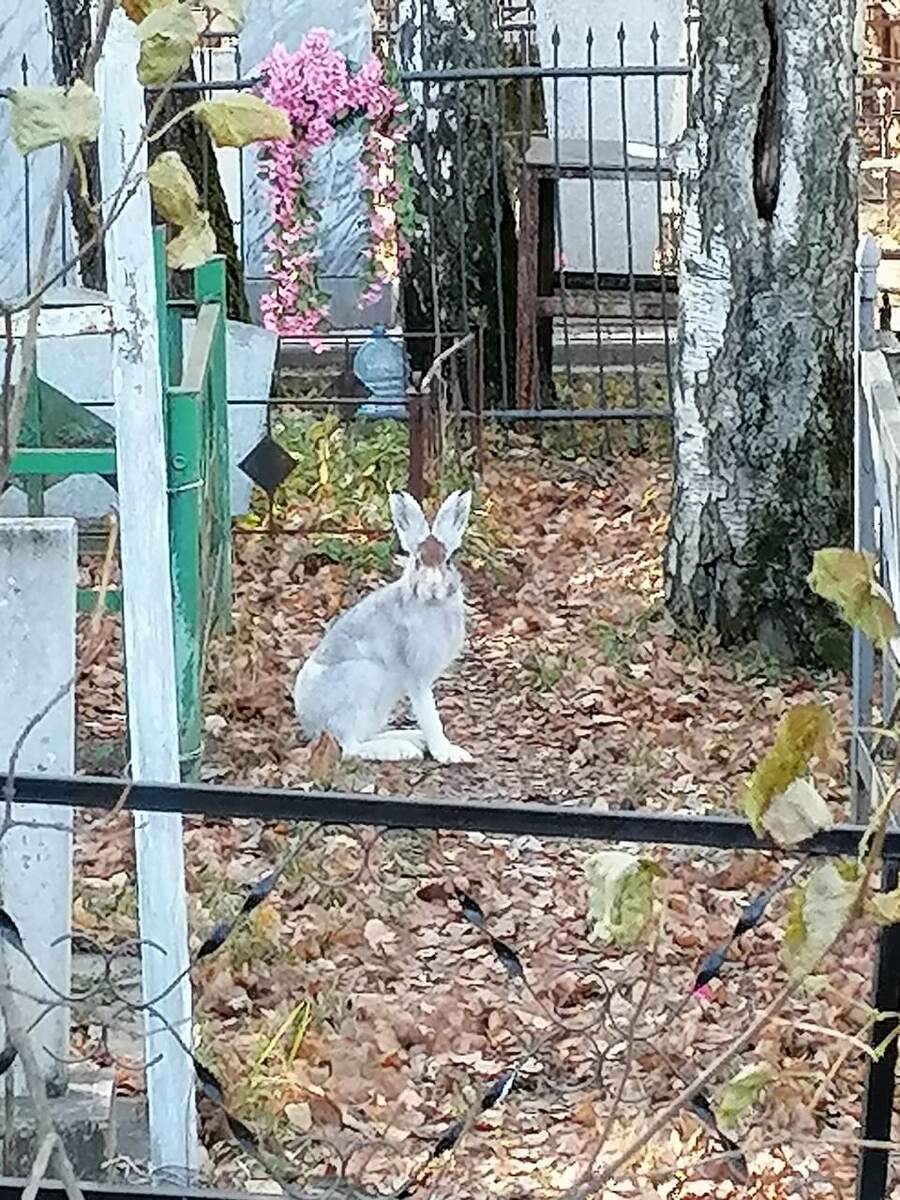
(463,268)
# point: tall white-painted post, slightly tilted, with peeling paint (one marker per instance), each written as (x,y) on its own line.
(149,647)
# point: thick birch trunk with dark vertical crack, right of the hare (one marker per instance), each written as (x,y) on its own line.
(763,413)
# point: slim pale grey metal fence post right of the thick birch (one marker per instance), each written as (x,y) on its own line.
(868,259)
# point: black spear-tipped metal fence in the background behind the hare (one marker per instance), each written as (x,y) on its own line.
(519,133)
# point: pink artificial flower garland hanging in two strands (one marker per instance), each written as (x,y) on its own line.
(317,91)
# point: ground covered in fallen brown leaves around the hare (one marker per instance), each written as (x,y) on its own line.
(362,1004)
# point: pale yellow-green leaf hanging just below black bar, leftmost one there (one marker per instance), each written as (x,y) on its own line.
(620,890)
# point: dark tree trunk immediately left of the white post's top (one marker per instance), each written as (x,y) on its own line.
(71,34)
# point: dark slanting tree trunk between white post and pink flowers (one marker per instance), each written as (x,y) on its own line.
(193,142)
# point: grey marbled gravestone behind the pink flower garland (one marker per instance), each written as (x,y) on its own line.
(335,183)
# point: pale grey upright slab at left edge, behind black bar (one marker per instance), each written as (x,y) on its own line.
(38,653)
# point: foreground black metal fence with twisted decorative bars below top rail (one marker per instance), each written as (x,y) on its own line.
(560,1022)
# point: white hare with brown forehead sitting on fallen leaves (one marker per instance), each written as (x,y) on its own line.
(395,643)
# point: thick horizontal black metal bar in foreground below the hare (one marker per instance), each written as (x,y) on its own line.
(409,813)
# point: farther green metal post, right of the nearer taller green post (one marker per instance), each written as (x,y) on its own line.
(211,289)
